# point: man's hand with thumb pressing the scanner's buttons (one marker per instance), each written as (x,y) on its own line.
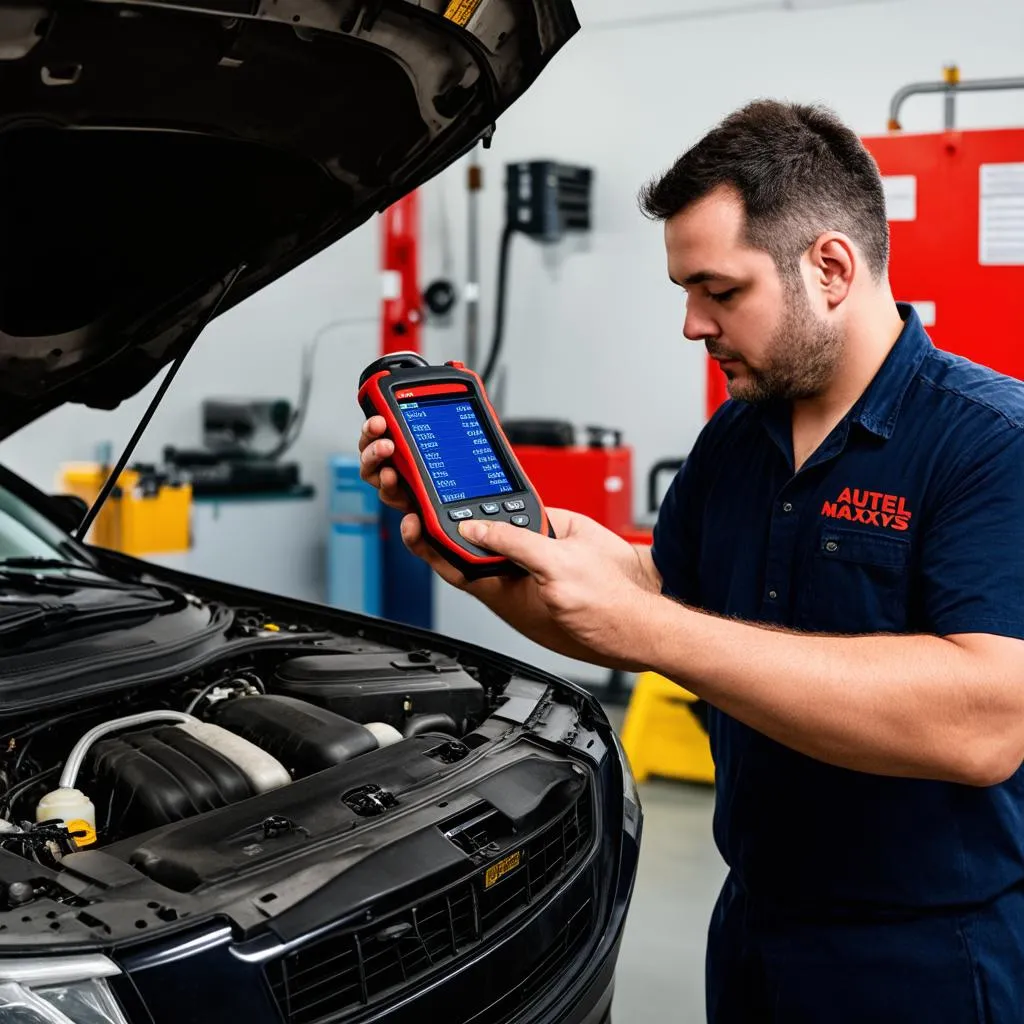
(596,587)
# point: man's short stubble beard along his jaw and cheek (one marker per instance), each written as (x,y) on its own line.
(801,359)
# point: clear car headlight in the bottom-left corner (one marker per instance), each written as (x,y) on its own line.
(60,991)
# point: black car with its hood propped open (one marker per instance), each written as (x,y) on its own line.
(218,804)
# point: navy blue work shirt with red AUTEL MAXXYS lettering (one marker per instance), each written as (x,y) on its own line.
(910,519)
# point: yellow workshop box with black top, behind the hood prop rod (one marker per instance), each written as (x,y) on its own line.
(148,514)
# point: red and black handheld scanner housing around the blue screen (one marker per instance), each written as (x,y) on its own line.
(405,377)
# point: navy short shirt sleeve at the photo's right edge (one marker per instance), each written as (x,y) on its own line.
(973,548)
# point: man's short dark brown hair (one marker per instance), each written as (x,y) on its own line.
(799,170)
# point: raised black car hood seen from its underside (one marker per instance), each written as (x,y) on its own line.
(148,150)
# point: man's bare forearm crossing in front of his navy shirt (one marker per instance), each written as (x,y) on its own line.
(911,706)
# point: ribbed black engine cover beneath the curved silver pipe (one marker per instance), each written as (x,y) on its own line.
(145,780)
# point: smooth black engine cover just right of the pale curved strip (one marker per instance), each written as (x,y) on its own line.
(304,738)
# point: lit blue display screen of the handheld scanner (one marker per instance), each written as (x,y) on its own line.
(458,454)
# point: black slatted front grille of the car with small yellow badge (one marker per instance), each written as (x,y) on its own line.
(357,968)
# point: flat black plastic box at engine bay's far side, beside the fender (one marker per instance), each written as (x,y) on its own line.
(386,688)
